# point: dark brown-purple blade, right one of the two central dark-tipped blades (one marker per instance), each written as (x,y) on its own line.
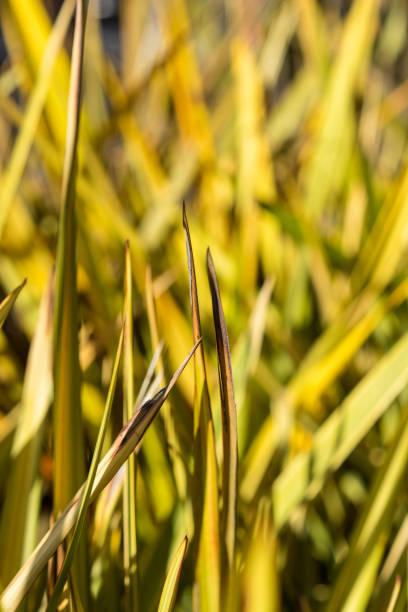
(229,419)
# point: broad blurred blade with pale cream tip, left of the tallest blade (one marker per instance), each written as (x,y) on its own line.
(26,447)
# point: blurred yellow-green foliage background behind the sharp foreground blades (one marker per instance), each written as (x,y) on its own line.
(283,126)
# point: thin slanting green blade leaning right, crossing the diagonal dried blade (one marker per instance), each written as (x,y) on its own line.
(87,488)
